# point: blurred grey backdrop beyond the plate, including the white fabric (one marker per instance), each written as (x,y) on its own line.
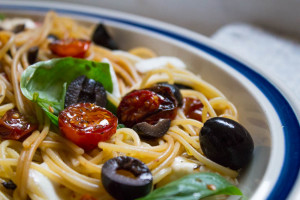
(265,33)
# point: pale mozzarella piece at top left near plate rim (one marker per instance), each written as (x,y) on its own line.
(9,24)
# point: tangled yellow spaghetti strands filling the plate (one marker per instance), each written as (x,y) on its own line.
(47,155)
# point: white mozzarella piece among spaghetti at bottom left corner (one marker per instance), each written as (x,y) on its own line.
(40,185)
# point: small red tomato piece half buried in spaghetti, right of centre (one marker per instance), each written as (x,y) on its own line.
(192,108)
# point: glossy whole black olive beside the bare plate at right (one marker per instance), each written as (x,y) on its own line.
(226,142)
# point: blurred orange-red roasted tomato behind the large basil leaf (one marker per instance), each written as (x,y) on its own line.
(70,47)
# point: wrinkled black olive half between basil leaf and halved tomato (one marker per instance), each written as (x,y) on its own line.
(84,90)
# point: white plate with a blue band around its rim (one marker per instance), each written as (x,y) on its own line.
(264,109)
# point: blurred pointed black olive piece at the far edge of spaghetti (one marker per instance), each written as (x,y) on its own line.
(102,38)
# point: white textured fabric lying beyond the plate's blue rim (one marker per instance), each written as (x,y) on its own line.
(275,55)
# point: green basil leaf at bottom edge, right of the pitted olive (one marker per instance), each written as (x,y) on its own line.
(194,187)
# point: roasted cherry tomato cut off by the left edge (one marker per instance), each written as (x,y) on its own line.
(14,125)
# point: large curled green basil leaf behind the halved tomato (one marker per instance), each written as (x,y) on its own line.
(45,82)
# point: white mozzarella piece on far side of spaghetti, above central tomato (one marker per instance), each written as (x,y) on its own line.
(158,63)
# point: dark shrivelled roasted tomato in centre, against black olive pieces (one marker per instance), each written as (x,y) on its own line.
(146,106)
